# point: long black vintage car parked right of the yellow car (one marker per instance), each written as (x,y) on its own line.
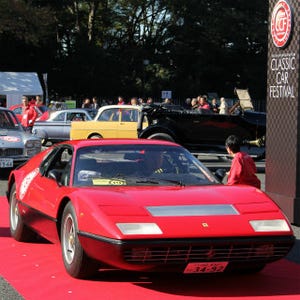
(202,131)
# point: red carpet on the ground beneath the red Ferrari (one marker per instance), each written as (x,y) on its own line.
(36,271)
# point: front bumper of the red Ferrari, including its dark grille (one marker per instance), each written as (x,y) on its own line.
(175,254)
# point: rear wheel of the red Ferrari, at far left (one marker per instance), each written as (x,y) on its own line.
(18,230)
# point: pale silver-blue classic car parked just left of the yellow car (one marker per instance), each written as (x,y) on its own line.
(57,127)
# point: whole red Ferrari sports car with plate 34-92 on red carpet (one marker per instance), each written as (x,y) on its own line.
(143,205)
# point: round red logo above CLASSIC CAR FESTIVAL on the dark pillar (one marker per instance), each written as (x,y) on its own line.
(281,23)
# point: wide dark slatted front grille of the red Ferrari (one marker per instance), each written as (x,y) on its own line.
(232,253)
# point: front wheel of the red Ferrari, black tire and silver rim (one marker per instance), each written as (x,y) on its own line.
(76,262)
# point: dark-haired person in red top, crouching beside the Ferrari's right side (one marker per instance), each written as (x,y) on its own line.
(243,169)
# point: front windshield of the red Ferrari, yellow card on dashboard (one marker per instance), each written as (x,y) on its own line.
(135,165)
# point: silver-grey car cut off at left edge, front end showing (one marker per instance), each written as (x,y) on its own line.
(16,145)
